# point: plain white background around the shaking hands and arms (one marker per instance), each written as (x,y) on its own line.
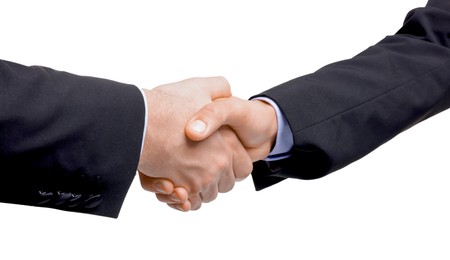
(392,204)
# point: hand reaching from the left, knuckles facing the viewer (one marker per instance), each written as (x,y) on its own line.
(202,168)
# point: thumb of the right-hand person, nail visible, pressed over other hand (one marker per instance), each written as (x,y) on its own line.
(226,111)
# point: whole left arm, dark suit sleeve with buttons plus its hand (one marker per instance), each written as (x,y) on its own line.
(74,143)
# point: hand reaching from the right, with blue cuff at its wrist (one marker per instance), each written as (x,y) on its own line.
(254,122)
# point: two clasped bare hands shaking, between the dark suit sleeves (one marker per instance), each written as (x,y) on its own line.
(200,140)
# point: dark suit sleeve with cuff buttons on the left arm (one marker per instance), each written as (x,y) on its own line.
(66,141)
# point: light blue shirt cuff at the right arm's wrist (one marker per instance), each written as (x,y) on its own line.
(285,138)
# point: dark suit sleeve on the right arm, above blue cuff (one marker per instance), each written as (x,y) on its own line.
(347,109)
